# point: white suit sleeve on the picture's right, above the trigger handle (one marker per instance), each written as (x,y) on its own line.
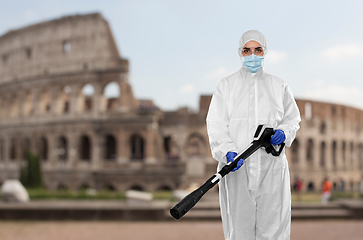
(290,122)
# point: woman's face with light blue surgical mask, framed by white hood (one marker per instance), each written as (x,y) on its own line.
(252,56)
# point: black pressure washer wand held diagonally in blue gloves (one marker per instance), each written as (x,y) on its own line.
(261,139)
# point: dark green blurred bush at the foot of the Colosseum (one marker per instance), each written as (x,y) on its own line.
(30,173)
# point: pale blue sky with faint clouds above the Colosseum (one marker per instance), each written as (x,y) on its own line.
(179,50)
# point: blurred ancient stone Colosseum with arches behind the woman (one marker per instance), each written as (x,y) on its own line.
(53,79)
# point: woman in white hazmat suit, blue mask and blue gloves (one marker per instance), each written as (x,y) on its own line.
(255,201)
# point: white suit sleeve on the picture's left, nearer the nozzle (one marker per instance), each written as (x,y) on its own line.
(217,123)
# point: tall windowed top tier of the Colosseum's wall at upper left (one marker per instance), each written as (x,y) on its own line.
(67,45)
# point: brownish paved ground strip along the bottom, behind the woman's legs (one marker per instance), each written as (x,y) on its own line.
(301,230)
